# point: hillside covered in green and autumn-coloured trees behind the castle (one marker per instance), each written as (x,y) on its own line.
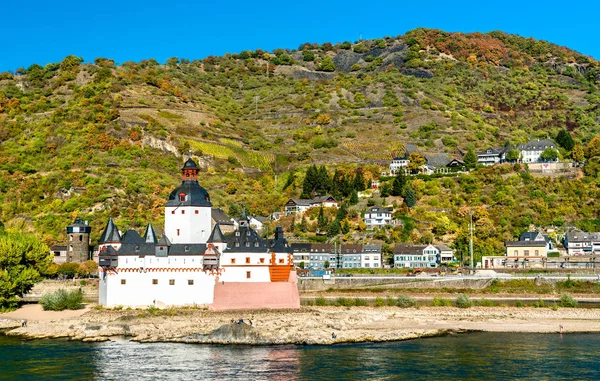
(99,139)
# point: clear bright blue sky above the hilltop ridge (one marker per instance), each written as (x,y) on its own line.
(131,30)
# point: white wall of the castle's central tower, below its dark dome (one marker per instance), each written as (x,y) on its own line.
(187,224)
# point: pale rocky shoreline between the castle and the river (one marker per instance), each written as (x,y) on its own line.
(307,326)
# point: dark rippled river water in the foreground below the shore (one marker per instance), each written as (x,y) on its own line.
(475,356)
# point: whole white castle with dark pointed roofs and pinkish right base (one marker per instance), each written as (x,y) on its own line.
(194,263)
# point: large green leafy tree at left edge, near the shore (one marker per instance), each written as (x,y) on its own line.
(23,260)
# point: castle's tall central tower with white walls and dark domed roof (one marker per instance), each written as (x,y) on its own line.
(188,211)
